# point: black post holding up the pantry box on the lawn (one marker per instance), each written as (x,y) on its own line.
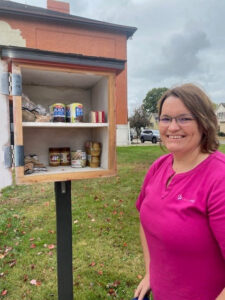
(64,240)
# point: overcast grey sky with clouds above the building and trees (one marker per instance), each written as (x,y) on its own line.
(177,41)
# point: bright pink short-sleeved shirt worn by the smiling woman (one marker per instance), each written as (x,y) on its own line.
(184,225)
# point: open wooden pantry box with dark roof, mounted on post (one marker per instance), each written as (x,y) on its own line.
(47,78)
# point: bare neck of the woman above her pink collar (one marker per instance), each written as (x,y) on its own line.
(186,162)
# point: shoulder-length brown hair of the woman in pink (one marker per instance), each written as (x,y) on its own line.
(201,107)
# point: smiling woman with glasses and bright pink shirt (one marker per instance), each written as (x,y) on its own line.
(182,203)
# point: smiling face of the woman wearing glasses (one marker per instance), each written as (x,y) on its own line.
(179,135)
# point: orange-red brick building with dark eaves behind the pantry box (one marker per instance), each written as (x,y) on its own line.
(54,29)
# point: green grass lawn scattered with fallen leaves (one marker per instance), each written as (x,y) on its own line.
(107,255)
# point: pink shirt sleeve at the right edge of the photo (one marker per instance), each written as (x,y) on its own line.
(216,213)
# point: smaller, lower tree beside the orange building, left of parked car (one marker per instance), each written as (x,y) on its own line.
(139,119)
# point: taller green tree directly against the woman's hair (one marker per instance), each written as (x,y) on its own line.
(151,99)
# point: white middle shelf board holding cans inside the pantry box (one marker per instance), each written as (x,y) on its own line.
(64,125)
